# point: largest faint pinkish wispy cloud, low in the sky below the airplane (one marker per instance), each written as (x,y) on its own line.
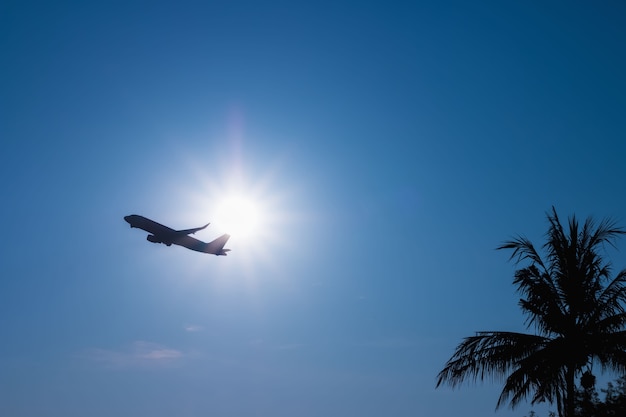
(139,355)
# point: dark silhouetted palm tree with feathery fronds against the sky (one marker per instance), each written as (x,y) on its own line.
(578,313)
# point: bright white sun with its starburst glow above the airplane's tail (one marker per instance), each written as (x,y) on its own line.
(255,207)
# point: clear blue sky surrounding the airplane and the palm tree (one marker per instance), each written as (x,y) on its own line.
(388,148)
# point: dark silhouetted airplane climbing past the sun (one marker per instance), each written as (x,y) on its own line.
(167,236)
